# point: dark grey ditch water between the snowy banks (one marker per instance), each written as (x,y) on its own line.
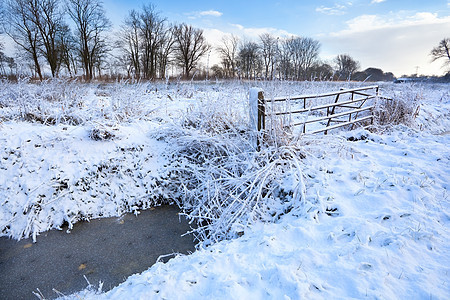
(107,250)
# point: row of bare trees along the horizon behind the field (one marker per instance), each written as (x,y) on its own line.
(149,47)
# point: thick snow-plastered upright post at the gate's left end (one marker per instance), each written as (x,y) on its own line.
(257,113)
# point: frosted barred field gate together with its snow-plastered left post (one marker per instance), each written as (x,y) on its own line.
(355,104)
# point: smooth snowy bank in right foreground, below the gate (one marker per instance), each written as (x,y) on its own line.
(374,224)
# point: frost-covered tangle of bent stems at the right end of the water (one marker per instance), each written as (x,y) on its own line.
(223,184)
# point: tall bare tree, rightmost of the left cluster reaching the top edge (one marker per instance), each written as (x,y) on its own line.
(91,24)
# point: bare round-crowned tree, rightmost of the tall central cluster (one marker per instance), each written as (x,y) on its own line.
(190,46)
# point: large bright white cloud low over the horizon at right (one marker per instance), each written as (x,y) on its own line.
(395,42)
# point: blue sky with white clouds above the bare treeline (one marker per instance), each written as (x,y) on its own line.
(395,35)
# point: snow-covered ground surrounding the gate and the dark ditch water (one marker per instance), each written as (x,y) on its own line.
(354,214)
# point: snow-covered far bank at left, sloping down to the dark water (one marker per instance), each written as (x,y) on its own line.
(55,175)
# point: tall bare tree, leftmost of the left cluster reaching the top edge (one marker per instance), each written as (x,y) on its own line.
(19,26)
